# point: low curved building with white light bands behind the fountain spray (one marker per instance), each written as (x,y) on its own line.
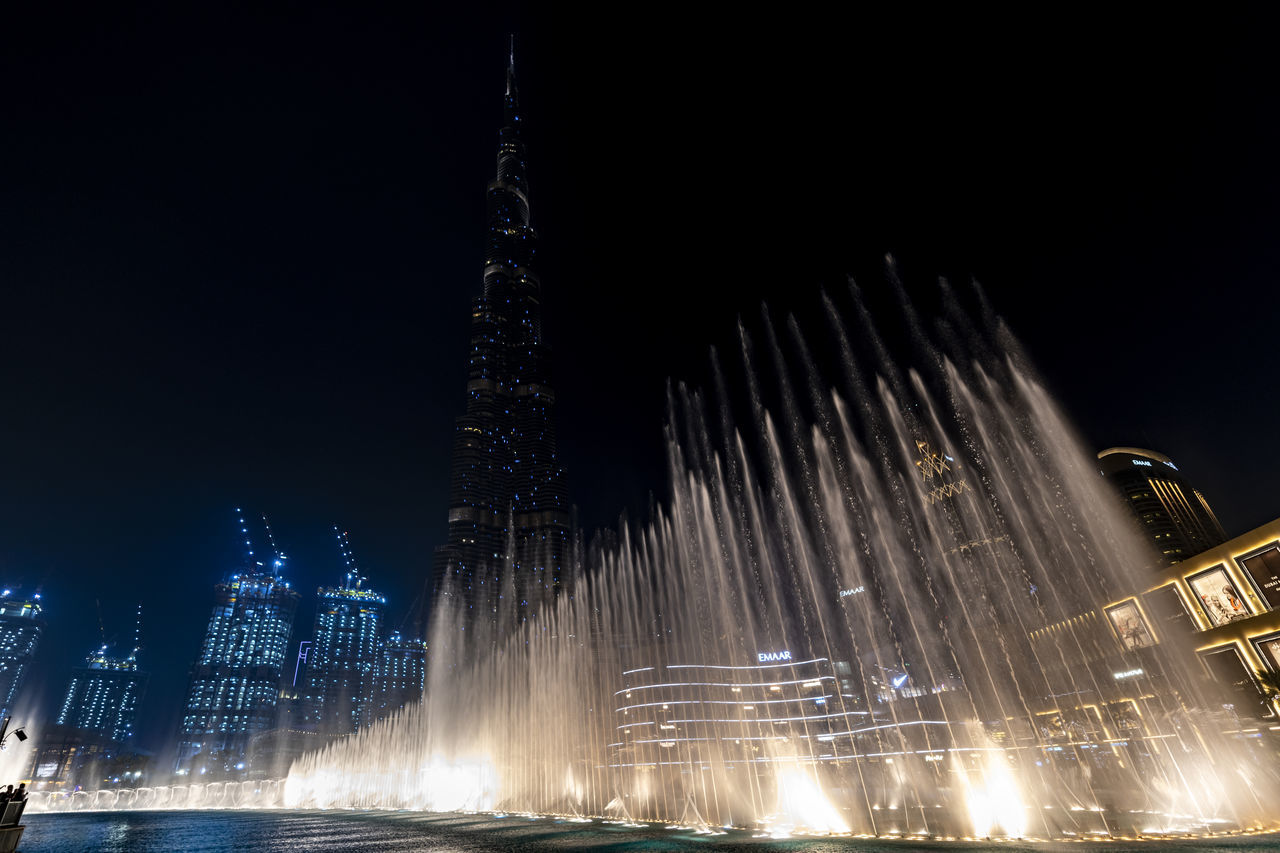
(778,710)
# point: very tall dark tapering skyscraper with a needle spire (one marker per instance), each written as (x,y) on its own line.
(508,496)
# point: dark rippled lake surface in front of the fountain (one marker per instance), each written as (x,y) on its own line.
(289,832)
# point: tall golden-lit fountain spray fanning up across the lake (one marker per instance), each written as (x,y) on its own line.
(875,610)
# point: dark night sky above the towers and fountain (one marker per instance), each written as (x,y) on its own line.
(237,249)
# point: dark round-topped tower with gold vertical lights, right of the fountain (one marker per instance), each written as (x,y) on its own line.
(1173,516)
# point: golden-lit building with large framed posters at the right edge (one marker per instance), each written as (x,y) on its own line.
(1229,600)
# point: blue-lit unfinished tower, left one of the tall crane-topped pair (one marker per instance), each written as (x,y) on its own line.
(236,679)
